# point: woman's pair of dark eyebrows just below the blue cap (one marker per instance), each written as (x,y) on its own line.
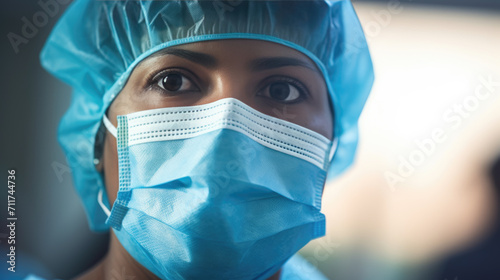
(256,65)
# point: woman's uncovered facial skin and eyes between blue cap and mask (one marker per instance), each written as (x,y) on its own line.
(271,78)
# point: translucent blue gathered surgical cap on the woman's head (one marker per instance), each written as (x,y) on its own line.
(96,44)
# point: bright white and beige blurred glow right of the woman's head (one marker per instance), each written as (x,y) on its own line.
(428,60)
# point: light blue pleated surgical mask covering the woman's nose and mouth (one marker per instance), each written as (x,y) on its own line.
(216,191)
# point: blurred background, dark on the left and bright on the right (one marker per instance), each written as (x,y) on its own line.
(421,202)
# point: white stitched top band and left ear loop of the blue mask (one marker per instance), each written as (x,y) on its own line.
(227,113)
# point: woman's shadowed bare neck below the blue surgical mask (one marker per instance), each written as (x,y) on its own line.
(119,264)
